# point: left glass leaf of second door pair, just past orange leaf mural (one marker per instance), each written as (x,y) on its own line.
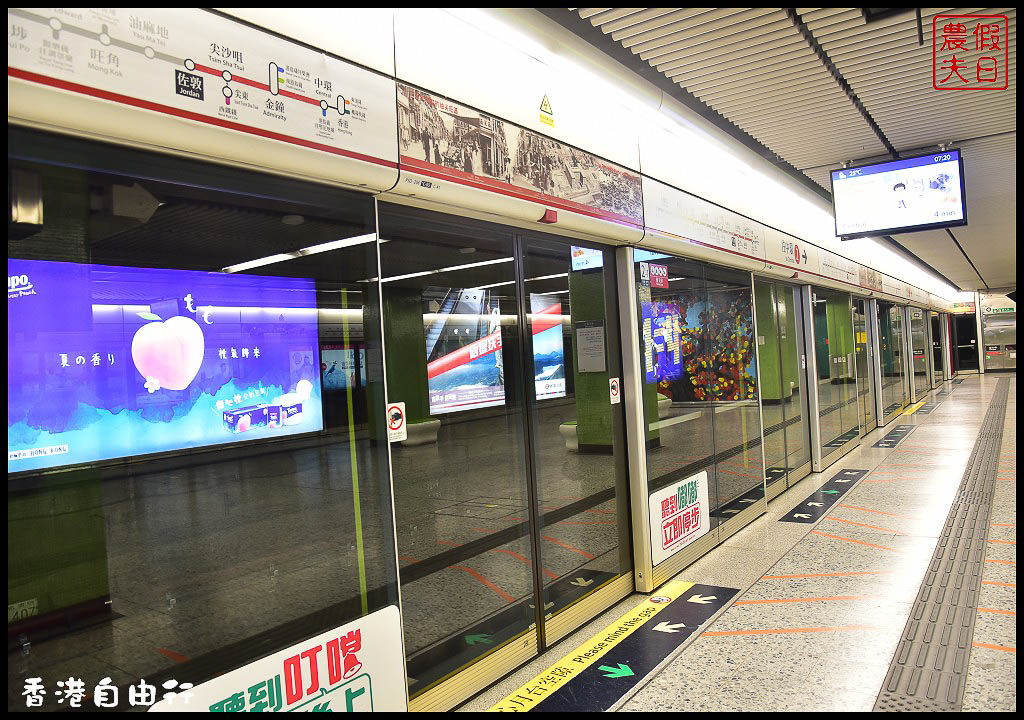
(776,393)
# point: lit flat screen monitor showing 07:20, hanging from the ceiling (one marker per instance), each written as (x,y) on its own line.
(922,193)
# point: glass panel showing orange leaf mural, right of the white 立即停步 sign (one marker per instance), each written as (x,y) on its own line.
(732,383)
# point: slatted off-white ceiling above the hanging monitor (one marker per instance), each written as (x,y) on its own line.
(756,68)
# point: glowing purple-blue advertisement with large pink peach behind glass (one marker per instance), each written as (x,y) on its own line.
(109,362)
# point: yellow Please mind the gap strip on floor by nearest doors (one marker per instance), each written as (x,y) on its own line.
(592,651)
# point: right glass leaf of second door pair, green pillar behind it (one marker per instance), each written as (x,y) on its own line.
(798,443)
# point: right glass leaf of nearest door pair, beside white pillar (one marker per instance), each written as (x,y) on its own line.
(579,458)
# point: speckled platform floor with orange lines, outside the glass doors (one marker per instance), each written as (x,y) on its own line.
(901,597)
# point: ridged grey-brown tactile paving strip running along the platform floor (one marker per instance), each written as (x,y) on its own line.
(930,666)
